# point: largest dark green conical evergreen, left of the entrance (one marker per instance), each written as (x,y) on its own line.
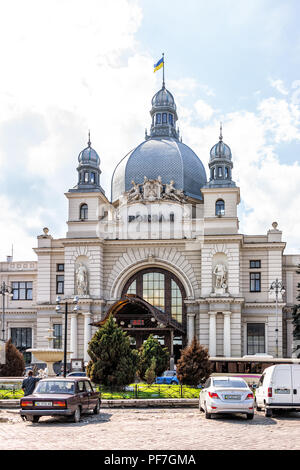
(113,362)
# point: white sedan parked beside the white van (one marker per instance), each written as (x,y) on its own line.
(226,395)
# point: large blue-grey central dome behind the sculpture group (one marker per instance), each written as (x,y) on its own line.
(161,156)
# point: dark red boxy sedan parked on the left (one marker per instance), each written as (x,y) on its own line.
(69,397)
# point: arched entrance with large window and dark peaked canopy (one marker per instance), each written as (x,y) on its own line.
(152,302)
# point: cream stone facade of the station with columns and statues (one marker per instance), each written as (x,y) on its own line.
(184,237)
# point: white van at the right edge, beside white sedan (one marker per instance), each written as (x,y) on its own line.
(279,388)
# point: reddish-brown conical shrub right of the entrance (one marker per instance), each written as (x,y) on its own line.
(193,366)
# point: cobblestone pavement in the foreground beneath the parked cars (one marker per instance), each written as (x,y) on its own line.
(151,429)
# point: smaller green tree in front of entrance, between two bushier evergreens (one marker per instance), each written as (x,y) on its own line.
(152,349)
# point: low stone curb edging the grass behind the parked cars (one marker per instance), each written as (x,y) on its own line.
(129,403)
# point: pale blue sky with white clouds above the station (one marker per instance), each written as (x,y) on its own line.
(70,66)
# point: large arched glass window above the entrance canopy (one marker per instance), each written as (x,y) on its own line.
(161,289)
